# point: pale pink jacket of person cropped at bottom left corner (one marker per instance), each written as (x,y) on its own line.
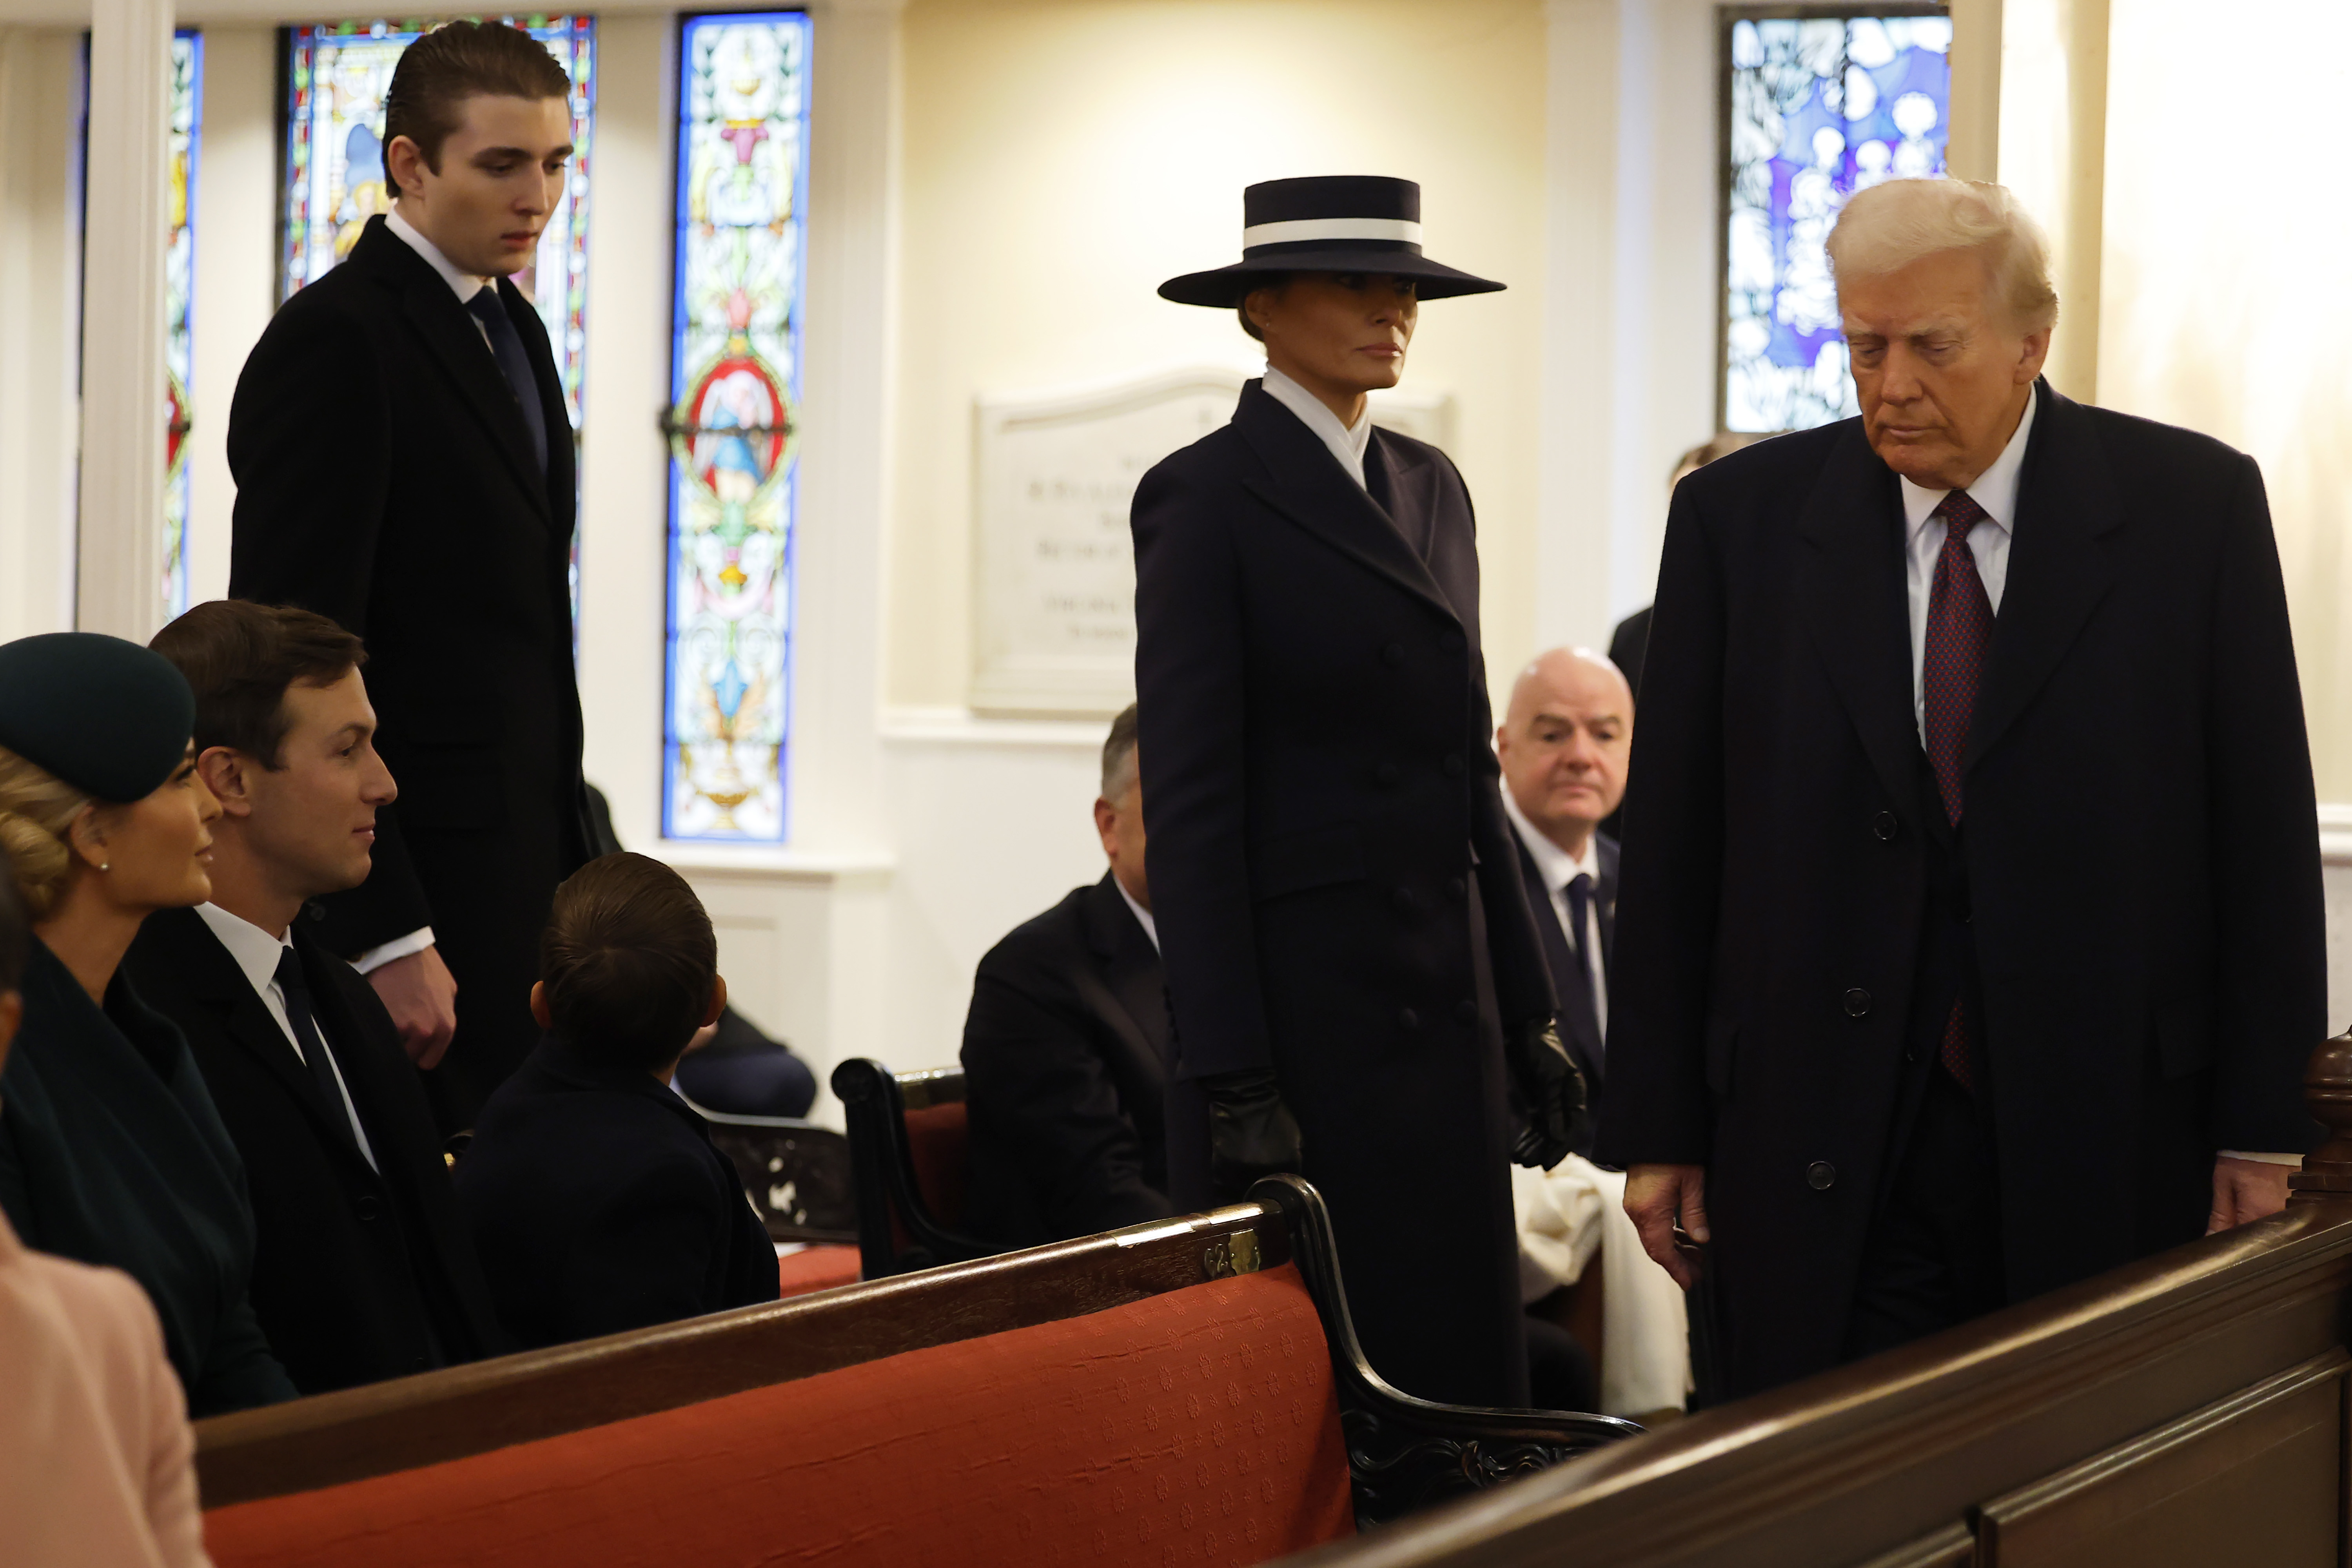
(98,1463)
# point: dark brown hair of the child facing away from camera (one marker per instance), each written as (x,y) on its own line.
(629,963)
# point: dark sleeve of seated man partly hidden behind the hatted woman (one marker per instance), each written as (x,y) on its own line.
(1043,1099)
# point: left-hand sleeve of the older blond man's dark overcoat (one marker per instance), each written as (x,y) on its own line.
(1671,866)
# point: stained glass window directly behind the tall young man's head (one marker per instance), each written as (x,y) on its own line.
(338,79)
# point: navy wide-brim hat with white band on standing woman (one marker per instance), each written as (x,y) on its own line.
(1328,225)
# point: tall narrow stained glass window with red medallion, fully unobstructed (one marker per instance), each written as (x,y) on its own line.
(735,394)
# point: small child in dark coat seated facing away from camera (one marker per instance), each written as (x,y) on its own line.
(594,1188)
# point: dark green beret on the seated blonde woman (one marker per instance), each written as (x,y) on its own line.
(102,713)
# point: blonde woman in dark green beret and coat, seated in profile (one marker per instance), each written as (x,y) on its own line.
(109,1146)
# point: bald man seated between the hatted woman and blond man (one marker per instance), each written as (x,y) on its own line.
(1563,746)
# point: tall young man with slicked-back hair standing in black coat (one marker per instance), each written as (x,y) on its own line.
(406,469)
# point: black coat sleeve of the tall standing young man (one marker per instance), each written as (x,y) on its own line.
(312,453)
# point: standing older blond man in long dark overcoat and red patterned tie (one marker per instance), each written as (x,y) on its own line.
(1970,937)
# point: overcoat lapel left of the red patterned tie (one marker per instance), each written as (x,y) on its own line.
(1852,601)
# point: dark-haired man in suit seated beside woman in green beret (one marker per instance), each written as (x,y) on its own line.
(361,1264)
